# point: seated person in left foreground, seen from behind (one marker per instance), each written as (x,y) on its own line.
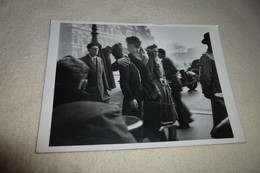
(75,119)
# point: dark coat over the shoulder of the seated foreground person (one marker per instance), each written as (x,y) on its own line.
(88,123)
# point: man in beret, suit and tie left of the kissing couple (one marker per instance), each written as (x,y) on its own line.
(97,82)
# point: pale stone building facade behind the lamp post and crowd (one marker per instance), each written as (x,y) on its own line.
(75,37)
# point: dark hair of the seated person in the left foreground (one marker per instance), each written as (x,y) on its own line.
(70,71)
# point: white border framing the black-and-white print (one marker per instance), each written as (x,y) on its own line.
(47,102)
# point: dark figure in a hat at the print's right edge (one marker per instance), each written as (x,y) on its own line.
(210,84)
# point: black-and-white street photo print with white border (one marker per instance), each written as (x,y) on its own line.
(112,86)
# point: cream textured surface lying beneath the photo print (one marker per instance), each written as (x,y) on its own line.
(24,34)
